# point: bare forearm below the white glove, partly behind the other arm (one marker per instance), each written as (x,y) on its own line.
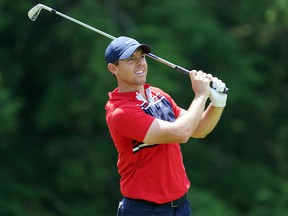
(209,120)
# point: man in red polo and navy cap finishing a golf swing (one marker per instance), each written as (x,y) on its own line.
(146,126)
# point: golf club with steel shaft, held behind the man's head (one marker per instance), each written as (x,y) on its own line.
(35,11)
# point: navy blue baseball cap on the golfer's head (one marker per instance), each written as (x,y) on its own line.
(122,48)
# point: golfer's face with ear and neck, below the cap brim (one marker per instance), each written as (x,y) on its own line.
(130,73)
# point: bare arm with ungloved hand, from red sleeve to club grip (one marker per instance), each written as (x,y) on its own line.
(186,124)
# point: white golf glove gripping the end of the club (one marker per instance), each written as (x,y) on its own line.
(218,98)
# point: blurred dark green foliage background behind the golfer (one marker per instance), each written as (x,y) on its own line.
(56,154)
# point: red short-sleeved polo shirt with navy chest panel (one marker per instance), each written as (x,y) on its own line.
(152,172)
